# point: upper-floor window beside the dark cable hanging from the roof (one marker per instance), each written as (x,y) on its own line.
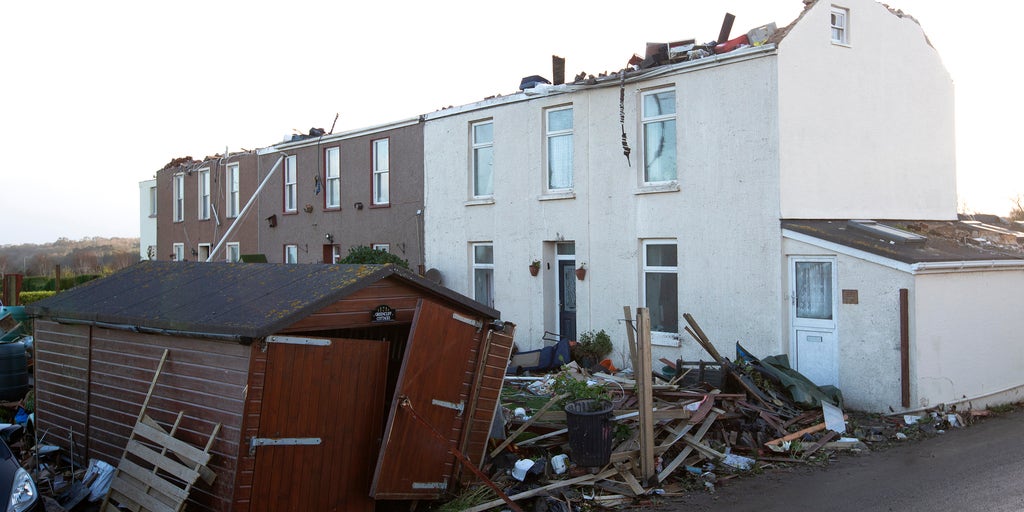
(660,137)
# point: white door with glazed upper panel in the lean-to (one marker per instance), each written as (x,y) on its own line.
(813,319)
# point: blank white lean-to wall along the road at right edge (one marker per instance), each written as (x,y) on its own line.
(968,337)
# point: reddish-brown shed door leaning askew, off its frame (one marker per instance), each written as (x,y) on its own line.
(413,463)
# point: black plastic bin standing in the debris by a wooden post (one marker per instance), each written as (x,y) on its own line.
(590,428)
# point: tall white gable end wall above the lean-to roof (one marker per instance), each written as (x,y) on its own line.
(867,131)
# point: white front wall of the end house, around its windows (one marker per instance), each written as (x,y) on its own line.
(724,214)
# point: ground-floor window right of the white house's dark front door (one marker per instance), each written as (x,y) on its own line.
(661,289)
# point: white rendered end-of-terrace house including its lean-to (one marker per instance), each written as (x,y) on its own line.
(845,114)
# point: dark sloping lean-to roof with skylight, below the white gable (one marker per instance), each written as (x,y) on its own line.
(910,241)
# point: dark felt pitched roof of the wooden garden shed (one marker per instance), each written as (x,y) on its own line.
(238,301)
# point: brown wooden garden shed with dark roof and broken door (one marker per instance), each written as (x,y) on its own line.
(328,381)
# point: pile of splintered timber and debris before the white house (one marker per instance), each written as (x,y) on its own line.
(682,430)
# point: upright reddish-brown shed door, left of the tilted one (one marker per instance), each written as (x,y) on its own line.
(333,394)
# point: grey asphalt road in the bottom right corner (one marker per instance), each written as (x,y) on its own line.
(978,468)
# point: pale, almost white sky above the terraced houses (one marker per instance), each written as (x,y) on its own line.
(97,97)
